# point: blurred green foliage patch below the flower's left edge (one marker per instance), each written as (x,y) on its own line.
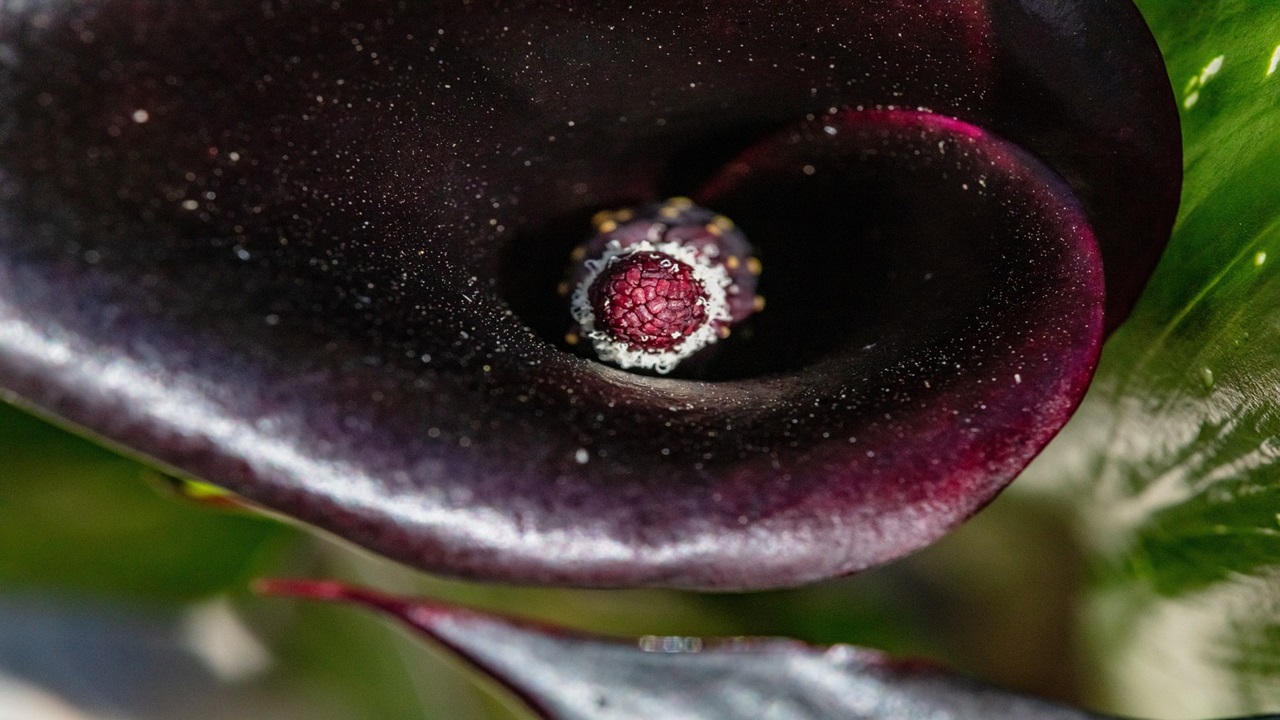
(75,516)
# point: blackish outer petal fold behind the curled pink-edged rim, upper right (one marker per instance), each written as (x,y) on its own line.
(1076,84)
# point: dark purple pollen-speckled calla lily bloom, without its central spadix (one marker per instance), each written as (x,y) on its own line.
(312,252)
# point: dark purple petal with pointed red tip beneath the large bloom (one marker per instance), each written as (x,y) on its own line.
(564,676)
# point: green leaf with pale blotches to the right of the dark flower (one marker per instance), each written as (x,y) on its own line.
(1174,458)
